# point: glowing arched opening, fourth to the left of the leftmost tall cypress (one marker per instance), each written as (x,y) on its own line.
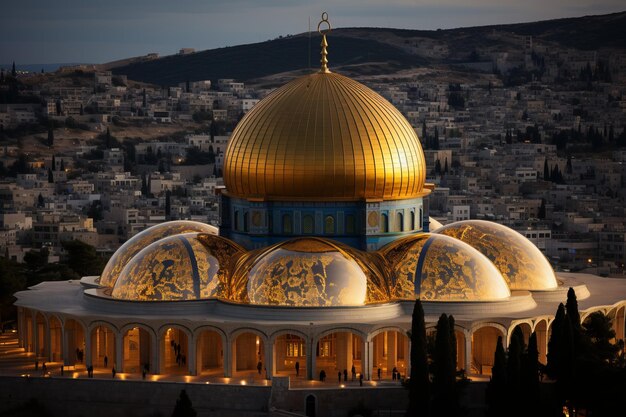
(248,353)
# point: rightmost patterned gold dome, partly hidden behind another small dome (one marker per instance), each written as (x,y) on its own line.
(521,263)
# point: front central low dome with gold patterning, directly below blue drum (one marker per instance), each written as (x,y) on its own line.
(308,272)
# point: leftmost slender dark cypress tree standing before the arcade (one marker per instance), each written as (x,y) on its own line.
(419,385)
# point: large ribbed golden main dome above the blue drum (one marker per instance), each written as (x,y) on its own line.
(328,138)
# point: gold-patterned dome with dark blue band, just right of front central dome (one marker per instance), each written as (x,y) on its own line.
(440,268)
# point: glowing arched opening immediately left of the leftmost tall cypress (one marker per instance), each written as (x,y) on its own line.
(390,350)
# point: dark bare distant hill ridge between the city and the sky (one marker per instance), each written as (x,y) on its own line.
(397,48)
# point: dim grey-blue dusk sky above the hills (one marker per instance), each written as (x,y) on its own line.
(91,31)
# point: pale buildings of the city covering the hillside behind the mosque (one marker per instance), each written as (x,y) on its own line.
(532,138)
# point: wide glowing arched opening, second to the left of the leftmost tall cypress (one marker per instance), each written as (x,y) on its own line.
(338,352)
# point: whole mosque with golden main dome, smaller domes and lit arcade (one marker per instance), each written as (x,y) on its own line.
(324,244)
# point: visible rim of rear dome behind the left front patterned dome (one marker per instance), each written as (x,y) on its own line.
(142,239)
